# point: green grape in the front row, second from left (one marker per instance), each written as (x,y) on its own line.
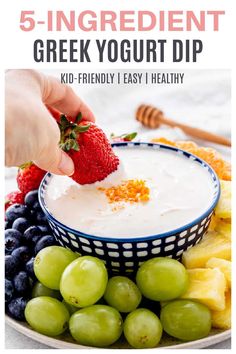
(96,325)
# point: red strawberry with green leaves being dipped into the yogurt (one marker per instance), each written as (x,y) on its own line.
(89,148)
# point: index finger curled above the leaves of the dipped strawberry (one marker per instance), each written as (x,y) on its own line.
(63,98)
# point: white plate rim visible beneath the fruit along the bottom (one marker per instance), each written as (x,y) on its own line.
(65,341)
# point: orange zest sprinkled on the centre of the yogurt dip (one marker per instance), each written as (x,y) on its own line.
(130,191)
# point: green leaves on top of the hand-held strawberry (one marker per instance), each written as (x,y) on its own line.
(70,131)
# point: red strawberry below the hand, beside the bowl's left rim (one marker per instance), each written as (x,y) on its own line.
(29,177)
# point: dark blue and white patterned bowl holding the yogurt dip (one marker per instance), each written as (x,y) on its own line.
(122,255)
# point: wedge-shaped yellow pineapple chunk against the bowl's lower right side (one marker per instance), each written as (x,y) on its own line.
(212,245)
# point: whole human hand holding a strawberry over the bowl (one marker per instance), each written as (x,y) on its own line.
(31,133)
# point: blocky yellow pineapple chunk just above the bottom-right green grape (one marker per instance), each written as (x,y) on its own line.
(207,286)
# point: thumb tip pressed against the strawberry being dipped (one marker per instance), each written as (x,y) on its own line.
(56,161)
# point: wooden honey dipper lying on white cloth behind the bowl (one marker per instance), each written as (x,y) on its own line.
(152,117)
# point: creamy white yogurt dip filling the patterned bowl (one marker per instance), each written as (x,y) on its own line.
(180,191)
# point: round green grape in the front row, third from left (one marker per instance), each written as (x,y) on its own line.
(142,329)
